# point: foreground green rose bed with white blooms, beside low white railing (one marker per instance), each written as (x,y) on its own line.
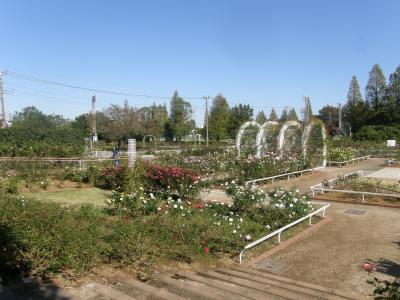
(138,228)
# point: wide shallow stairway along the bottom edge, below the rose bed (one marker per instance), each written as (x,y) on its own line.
(223,283)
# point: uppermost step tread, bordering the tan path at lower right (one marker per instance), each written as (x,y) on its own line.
(328,293)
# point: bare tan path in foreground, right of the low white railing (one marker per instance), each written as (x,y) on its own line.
(333,255)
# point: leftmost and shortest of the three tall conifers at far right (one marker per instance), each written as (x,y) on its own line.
(356,111)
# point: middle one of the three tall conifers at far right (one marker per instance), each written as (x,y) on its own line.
(376,88)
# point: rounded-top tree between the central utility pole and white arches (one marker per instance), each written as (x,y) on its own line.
(219,118)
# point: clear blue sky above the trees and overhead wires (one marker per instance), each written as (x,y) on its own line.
(265,53)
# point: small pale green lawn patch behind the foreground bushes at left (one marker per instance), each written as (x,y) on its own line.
(93,196)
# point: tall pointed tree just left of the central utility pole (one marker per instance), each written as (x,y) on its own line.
(180,119)
